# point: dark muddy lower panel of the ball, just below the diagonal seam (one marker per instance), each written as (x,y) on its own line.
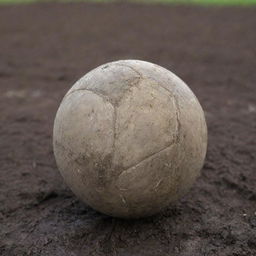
(152,184)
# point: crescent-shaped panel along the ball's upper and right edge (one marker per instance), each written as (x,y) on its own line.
(190,117)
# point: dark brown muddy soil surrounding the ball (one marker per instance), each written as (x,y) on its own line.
(45,48)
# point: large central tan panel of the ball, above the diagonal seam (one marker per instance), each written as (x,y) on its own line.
(145,123)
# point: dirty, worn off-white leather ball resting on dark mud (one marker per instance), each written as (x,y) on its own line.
(129,138)
